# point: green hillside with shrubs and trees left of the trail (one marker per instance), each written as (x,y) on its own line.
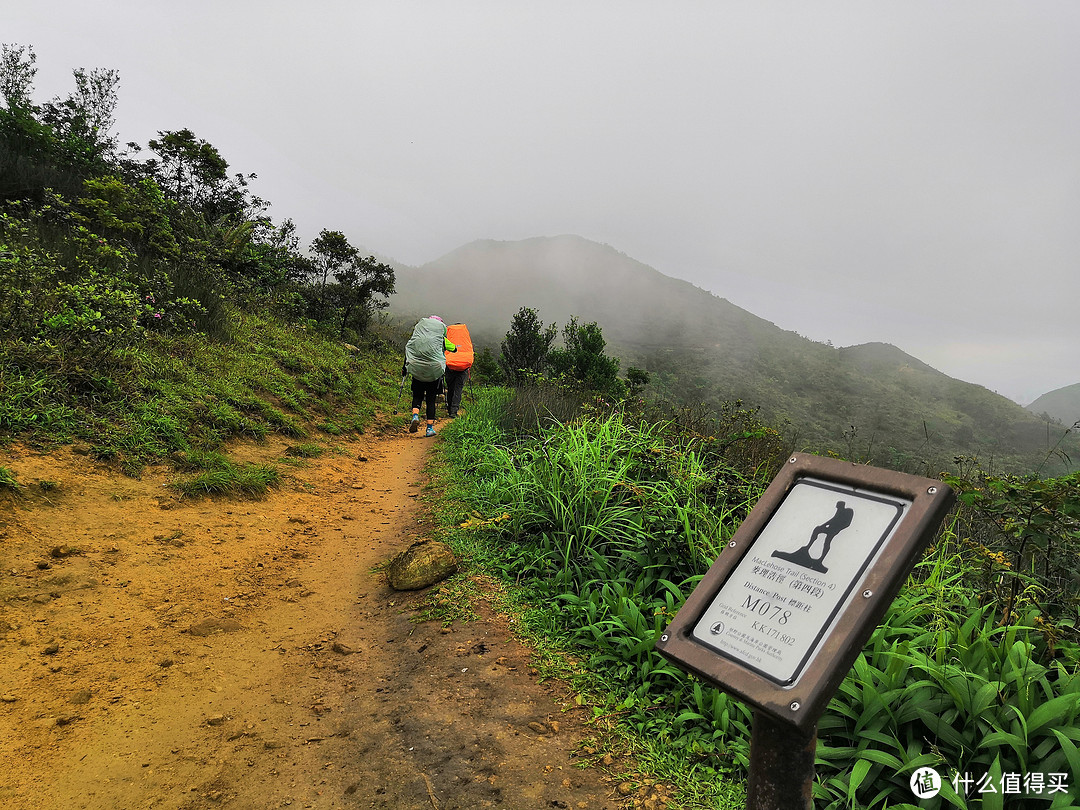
(152,308)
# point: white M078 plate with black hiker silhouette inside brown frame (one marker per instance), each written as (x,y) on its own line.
(786,593)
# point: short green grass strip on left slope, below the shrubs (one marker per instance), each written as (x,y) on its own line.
(190,393)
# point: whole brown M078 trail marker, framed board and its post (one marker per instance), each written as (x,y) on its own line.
(784,613)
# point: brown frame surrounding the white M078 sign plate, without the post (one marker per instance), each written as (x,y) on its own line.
(802,699)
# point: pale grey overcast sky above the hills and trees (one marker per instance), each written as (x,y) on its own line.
(906,172)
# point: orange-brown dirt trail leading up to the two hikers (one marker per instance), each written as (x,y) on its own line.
(158,653)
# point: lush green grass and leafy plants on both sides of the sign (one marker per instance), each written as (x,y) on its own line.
(606,522)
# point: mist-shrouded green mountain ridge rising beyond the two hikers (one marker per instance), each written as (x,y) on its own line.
(872,402)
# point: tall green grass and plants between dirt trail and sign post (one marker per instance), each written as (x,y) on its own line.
(610,523)
